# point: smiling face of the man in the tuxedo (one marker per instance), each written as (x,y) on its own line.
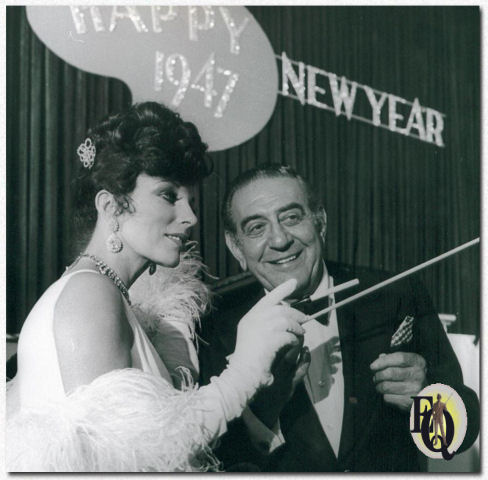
(277,235)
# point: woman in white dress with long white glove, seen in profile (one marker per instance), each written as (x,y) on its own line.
(91,393)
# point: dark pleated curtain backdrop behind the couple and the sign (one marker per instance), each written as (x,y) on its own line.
(392,201)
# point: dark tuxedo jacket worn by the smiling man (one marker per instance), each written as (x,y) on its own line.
(375,436)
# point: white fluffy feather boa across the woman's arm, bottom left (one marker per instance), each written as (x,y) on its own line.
(124,421)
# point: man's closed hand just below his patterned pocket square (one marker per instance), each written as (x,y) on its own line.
(399,376)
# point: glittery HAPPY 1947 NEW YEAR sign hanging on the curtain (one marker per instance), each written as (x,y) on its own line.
(215,66)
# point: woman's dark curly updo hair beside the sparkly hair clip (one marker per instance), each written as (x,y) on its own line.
(148,138)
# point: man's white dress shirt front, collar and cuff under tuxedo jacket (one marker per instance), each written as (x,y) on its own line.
(324,381)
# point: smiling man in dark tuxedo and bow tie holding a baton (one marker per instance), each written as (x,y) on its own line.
(340,403)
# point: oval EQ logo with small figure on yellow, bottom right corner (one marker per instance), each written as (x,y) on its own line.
(438,421)
